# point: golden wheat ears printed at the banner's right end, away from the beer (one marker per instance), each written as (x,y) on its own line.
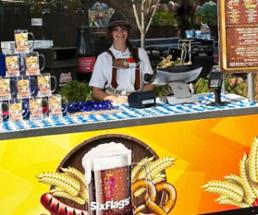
(239,190)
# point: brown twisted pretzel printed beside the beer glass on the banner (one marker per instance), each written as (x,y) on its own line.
(150,197)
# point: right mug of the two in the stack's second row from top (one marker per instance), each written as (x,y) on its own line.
(33,63)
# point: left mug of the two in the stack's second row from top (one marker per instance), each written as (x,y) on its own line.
(12,65)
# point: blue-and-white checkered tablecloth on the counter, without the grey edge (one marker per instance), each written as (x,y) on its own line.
(124,112)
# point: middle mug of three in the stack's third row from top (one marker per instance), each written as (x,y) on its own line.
(26,87)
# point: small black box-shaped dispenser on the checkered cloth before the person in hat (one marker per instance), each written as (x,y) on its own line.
(142,99)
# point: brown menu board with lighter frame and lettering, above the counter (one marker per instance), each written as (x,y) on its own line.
(238,35)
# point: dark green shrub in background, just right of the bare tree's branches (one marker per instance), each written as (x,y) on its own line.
(165,18)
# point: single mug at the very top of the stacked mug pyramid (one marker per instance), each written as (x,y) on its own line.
(22,40)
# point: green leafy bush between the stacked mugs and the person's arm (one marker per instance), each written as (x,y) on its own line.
(76,91)
